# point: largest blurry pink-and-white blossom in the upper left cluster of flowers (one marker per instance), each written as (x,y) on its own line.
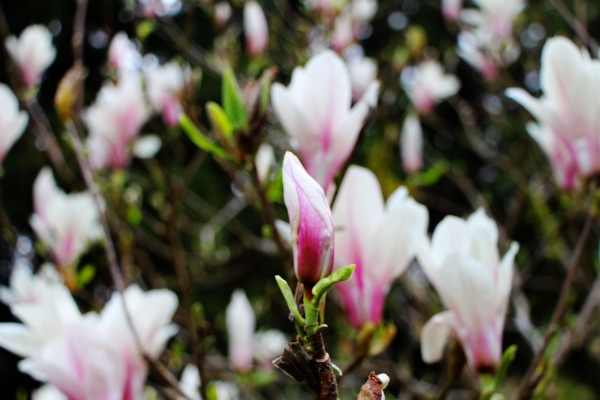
(115,121)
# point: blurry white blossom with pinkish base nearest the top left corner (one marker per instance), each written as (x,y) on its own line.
(33,52)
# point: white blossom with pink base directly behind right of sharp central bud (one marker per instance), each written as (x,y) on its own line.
(380,239)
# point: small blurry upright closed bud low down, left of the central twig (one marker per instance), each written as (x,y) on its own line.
(241,324)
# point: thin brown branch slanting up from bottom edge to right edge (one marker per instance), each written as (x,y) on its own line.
(527,384)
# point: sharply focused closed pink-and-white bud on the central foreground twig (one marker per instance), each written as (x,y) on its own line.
(311,223)
